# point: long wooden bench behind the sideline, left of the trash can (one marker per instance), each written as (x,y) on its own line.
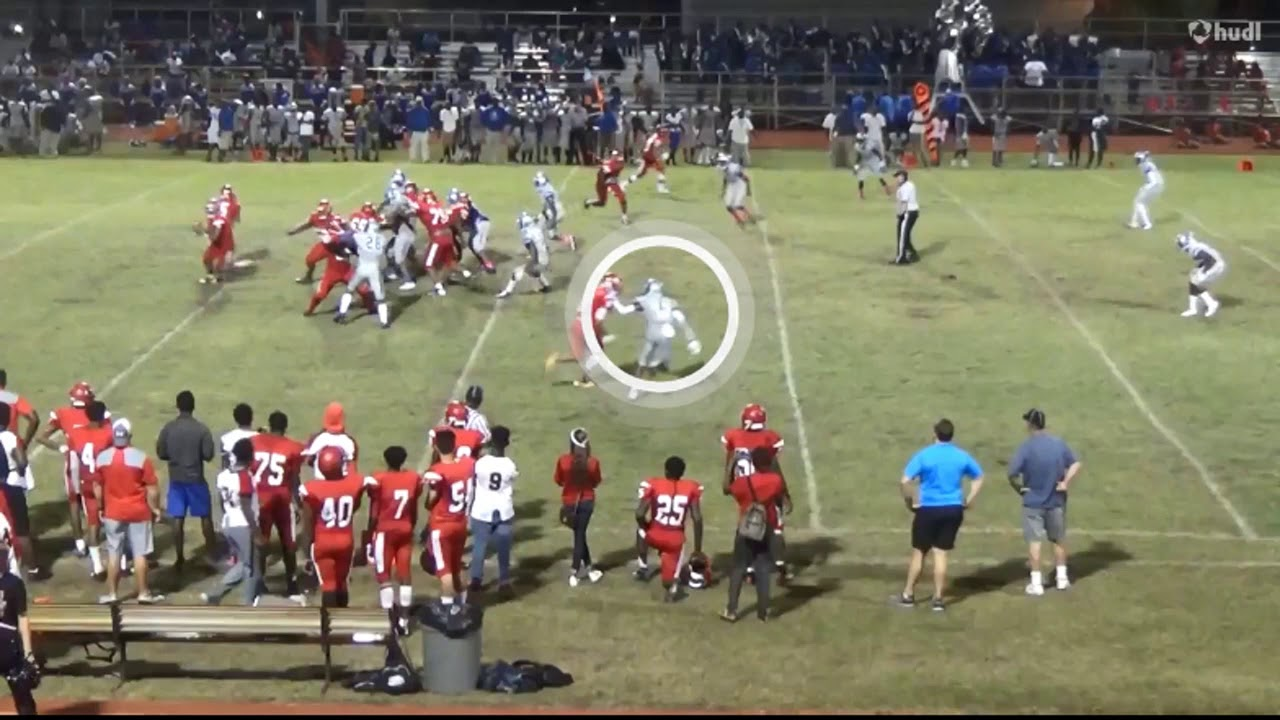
(116,627)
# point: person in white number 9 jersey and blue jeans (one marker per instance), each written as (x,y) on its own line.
(493,509)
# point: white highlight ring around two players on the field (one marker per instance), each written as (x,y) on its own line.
(714,265)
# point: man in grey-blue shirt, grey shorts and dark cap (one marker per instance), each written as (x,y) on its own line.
(1041,471)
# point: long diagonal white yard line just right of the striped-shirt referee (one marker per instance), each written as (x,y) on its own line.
(1242,523)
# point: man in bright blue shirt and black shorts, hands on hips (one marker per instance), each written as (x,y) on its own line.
(939,508)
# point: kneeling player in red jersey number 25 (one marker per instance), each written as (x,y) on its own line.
(662,512)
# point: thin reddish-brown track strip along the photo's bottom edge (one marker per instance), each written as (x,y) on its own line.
(350,709)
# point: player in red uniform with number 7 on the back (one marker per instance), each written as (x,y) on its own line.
(394,498)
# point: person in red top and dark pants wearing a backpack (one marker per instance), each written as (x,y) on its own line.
(760,496)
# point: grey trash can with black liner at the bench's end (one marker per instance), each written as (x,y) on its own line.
(451,648)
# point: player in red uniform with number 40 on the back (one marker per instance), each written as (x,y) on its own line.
(328,521)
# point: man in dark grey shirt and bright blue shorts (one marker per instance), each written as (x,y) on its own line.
(186,445)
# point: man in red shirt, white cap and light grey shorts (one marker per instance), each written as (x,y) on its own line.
(127,493)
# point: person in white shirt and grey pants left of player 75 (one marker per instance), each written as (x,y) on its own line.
(240,527)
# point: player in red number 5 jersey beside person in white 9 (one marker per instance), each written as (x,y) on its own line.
(449,495)
